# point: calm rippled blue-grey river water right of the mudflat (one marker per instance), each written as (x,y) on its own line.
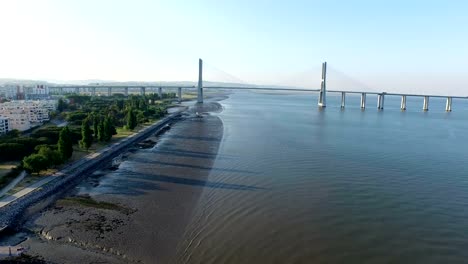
(335,186)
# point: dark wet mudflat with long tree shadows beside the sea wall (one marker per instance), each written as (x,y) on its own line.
(137,213)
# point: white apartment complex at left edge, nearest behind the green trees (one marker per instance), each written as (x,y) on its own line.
(23,115)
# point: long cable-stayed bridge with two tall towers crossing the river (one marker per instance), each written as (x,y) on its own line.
(235,83)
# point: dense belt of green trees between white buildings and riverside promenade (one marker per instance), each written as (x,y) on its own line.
(90,119)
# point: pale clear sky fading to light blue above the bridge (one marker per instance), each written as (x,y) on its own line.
(413,46)
